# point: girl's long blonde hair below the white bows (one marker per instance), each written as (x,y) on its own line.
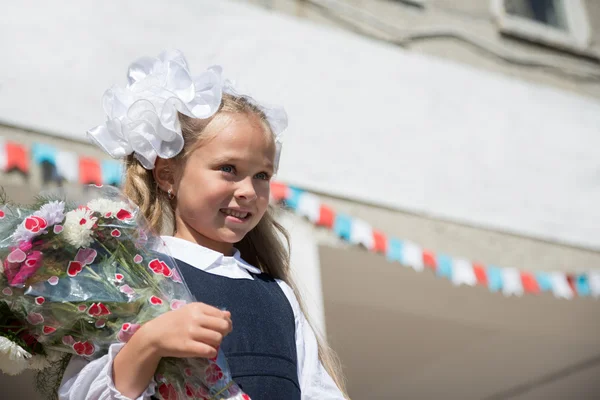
(262,247)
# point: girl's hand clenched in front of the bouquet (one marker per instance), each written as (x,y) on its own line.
(194,330)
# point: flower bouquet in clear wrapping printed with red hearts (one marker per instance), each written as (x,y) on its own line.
(77,278)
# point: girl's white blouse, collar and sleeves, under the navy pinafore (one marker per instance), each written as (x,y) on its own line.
(85,380)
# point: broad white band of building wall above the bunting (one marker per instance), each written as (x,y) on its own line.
(368,121)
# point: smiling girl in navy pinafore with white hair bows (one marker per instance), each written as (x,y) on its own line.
(199,158)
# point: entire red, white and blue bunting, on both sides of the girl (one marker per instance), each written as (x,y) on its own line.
(510,281)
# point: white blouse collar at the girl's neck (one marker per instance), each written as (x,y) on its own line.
(202,257)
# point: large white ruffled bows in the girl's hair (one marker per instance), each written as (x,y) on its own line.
(142,116)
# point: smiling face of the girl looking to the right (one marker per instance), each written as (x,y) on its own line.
(223,190)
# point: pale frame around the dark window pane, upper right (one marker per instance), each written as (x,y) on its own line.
(577,36)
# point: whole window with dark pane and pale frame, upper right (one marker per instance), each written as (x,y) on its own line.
(560,23)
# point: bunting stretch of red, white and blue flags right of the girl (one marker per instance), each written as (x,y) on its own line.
(460,271)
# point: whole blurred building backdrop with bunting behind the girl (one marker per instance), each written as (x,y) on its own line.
(441,171)
